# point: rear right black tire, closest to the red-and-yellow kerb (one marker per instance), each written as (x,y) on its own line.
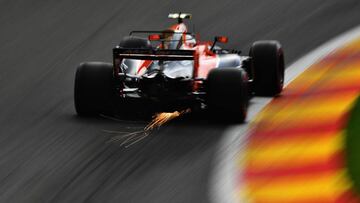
(227,94)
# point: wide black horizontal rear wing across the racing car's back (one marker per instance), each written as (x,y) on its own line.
(152,54)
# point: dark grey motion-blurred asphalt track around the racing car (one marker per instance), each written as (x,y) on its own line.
(48,154)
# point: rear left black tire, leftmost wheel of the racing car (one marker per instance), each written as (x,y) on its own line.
(93,92)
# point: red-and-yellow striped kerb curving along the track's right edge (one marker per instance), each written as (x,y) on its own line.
(295,151)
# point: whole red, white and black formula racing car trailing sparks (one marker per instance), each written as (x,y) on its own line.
(171,70)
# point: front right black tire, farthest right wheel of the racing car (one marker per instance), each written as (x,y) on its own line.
(268,64)
